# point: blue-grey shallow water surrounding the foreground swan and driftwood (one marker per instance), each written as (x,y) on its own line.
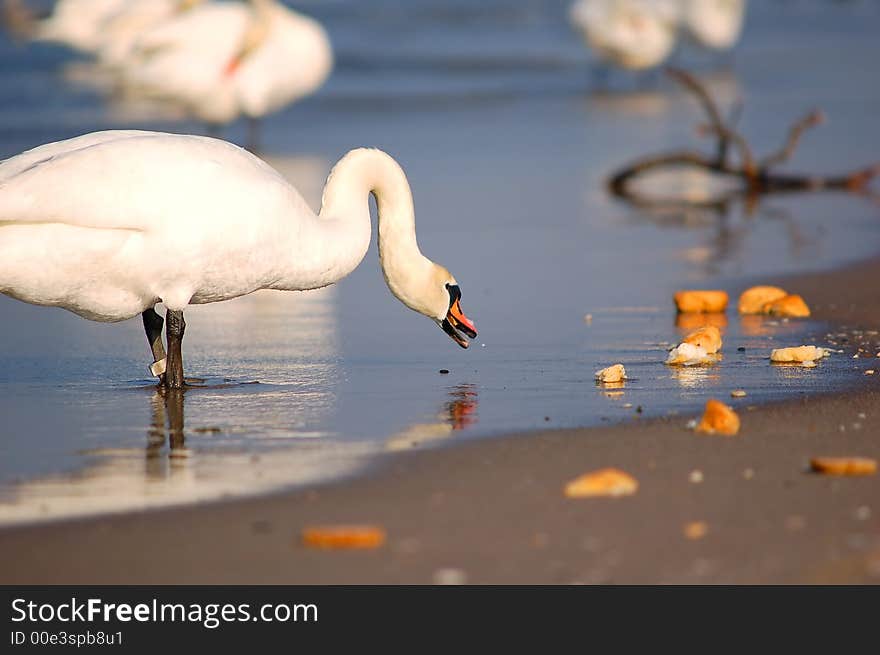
(490,112)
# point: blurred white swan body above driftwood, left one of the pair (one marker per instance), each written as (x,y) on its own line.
(632,34)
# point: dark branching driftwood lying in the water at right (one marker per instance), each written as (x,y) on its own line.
(757,176)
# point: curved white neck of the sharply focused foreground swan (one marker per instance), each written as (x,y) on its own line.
(345,206)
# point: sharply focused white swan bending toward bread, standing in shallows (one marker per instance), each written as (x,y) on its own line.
(109,224)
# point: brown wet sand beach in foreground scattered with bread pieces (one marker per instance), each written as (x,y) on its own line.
(493,511)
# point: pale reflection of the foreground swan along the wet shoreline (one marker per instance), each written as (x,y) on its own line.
(181,464)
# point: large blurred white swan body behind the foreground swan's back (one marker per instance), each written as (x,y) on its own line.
(224,60)
